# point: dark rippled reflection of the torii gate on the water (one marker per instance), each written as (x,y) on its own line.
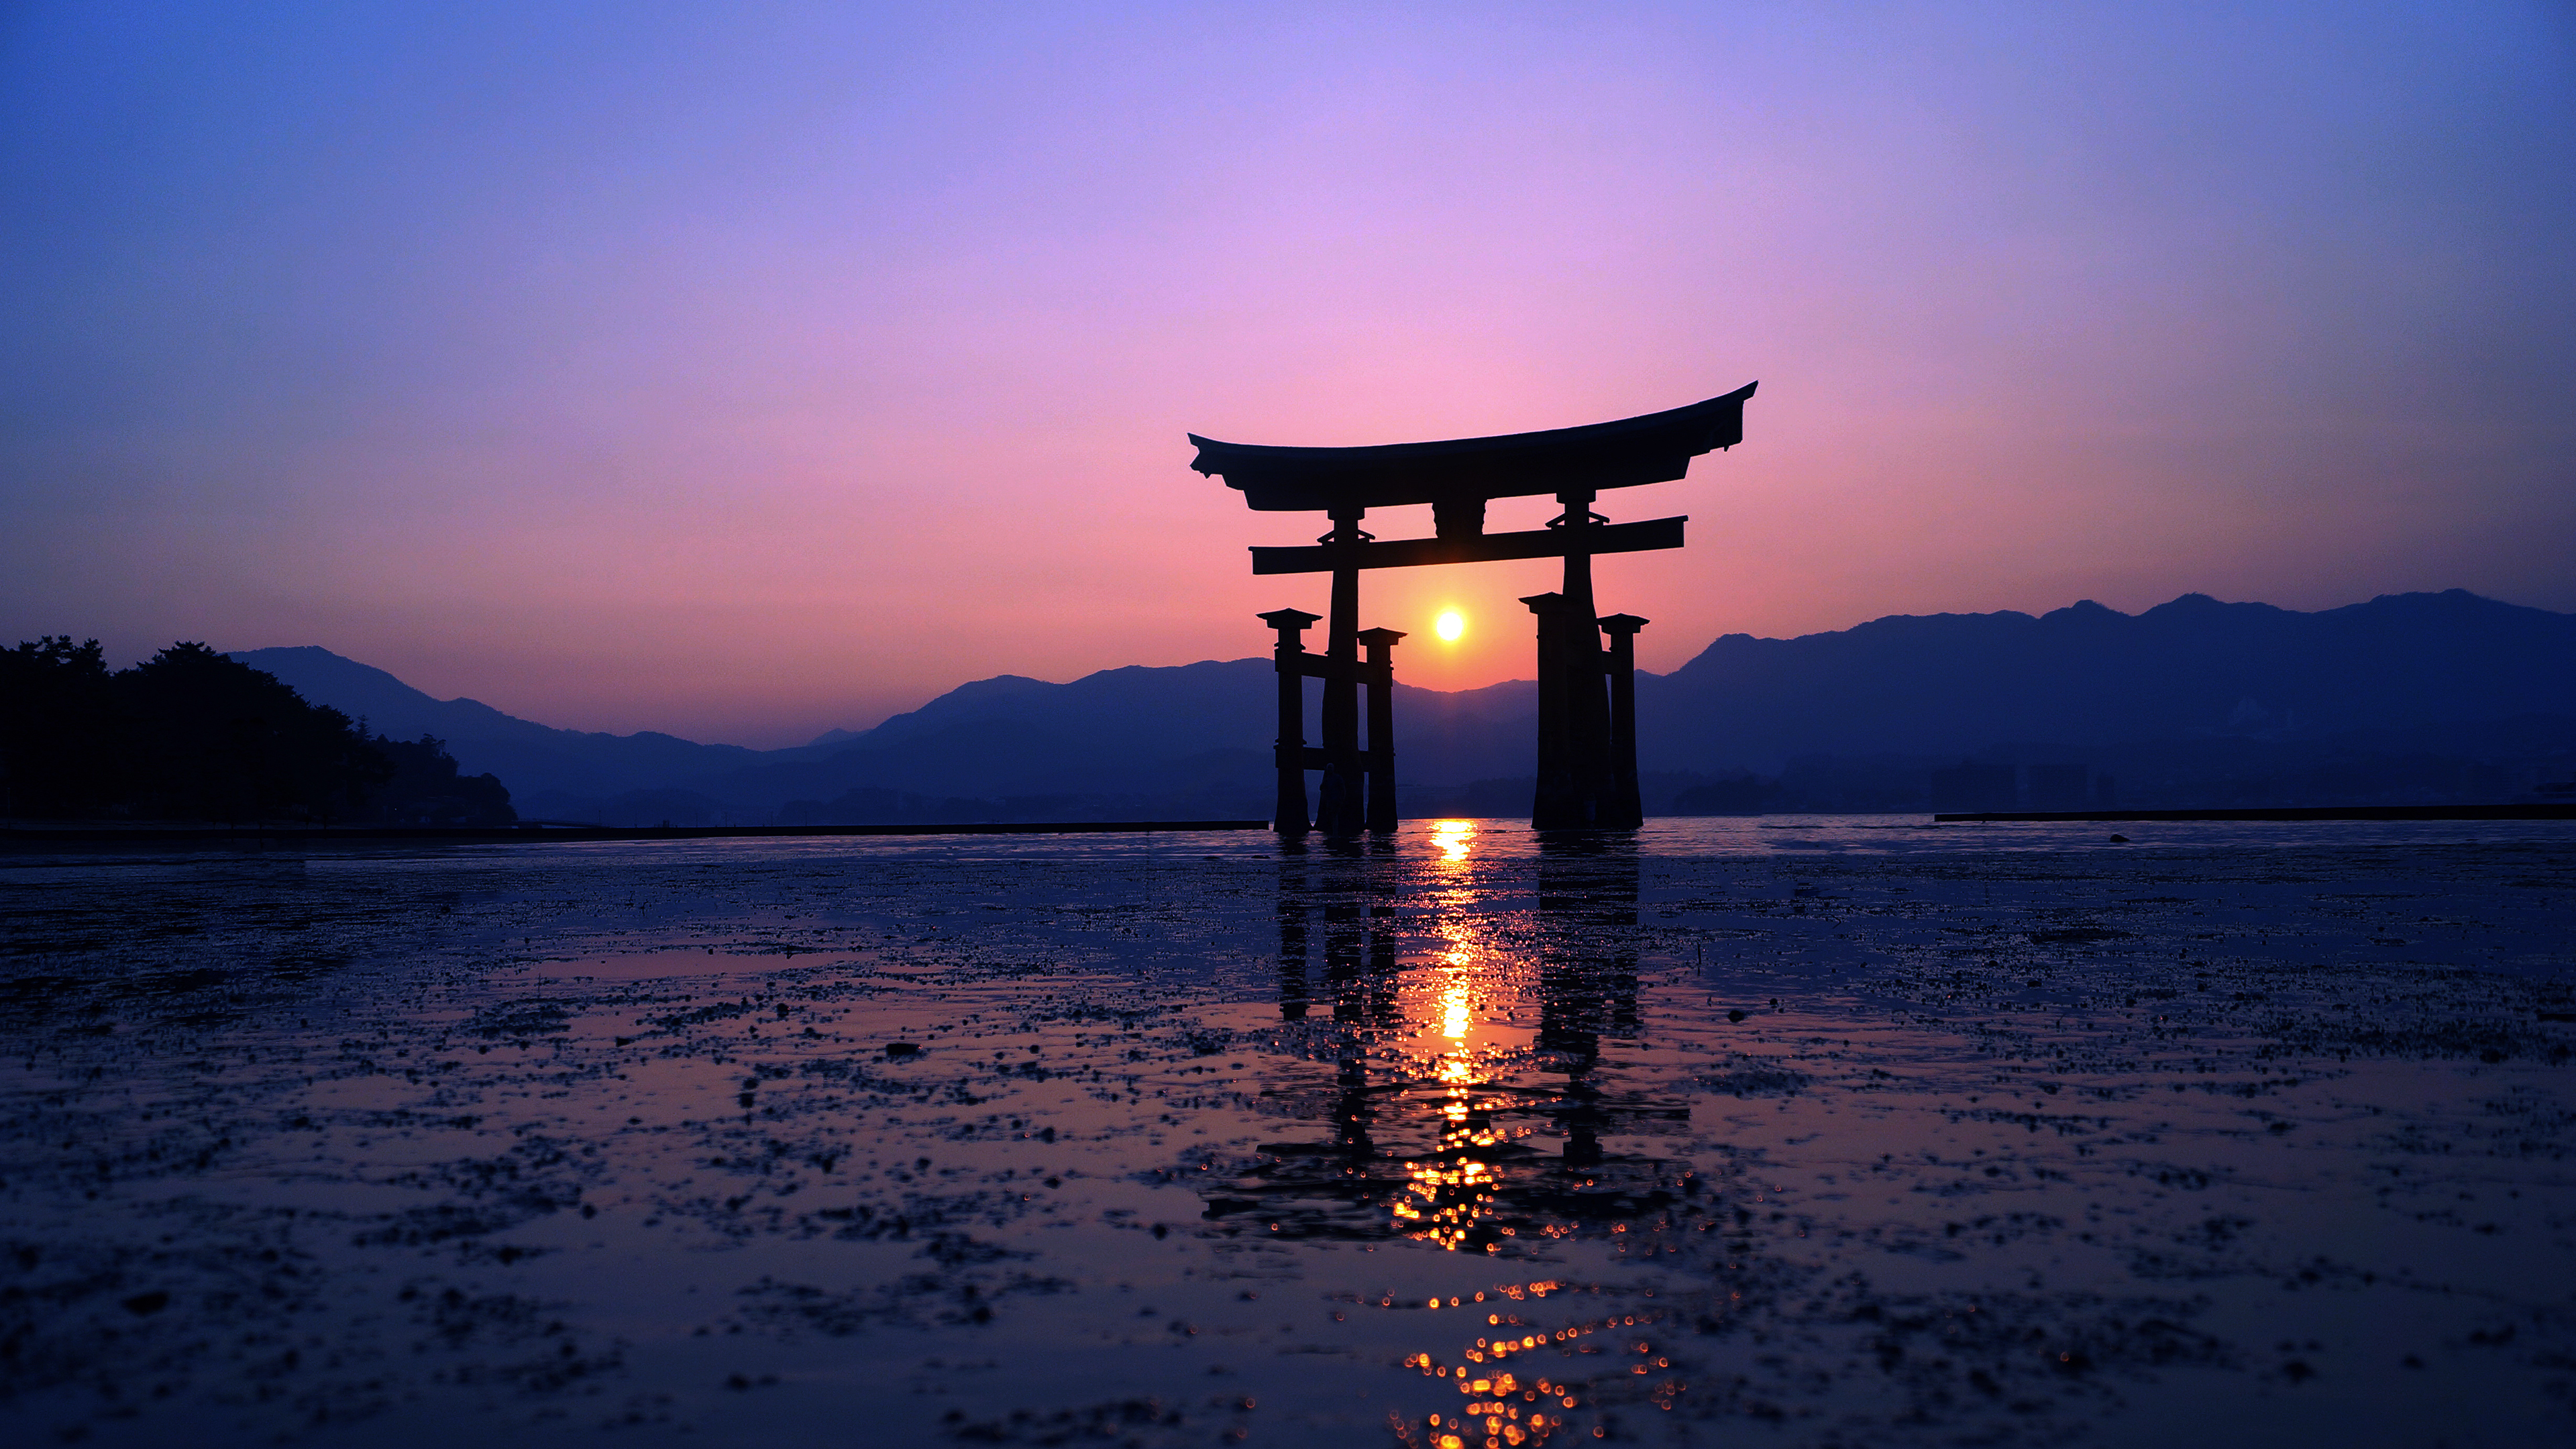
(1436,1154)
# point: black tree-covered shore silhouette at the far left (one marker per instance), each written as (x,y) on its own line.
(194,736)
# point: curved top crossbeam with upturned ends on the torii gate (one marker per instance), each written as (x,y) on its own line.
(1655,447)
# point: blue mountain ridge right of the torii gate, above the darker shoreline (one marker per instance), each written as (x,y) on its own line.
(2090,674)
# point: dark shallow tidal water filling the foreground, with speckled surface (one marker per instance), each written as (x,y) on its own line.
(1830,1131)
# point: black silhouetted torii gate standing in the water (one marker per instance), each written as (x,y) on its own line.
(1586,741)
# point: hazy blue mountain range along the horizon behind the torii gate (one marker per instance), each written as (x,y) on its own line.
(2193,697)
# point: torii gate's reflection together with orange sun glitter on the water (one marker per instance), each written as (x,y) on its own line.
(1472,1100)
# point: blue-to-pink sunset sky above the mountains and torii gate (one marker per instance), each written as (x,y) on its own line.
(759,370)
